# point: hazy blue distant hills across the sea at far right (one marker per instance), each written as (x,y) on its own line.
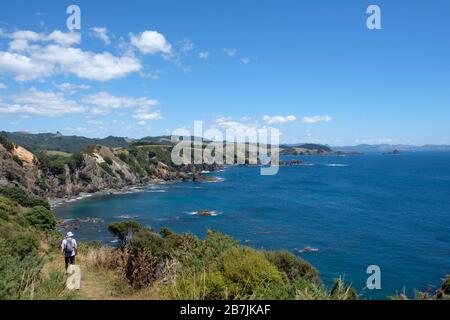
(387,148)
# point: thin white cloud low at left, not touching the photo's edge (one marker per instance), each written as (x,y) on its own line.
(104,102)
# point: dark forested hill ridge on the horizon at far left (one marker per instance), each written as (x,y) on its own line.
(59,142)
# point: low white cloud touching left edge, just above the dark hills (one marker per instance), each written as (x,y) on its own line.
(36,102)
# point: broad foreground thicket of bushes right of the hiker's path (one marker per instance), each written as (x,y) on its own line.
(186,267)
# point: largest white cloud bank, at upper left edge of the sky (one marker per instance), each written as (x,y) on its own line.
(27,61)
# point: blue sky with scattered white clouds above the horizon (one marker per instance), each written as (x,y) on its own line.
(312,69)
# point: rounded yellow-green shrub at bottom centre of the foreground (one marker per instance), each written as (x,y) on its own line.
(240,273)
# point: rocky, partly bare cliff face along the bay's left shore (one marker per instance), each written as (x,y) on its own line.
(99,168)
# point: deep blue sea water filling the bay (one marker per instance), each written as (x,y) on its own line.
(391,211)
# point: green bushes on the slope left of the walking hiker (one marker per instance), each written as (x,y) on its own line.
(21,254)
